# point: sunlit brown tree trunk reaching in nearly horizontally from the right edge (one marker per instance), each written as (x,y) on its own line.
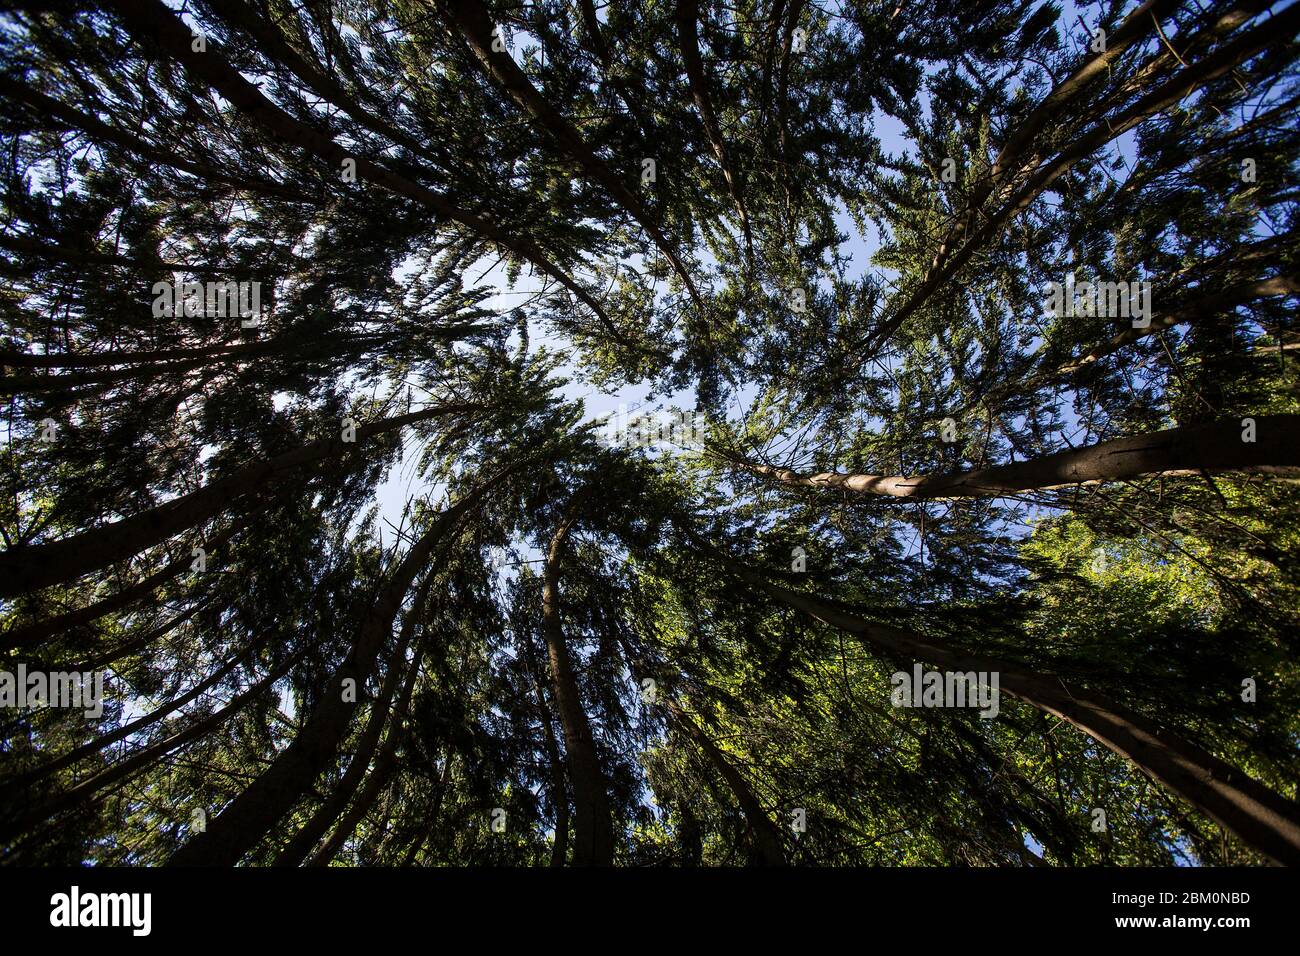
(1193,451)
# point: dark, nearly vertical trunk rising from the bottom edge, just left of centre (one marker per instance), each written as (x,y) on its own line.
(593,830)
